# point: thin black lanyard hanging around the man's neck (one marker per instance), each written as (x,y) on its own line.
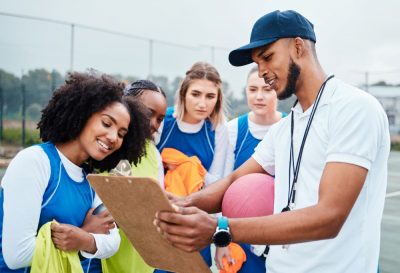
(292,187)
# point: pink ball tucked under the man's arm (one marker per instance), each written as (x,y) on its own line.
(251,195)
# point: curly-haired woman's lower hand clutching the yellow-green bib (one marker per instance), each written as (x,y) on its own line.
(71,238)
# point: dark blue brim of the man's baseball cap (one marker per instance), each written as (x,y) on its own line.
(242,55)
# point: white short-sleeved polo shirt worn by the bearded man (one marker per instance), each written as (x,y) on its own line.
(349,126)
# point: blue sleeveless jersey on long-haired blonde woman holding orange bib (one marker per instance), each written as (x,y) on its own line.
(200,144)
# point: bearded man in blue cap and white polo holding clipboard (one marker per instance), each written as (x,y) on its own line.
(329,159)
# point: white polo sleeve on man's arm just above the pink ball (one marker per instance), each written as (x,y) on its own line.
(264,153)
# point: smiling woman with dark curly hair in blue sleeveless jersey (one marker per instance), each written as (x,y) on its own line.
(86,125)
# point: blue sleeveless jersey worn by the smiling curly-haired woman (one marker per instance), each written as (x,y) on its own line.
(64,200)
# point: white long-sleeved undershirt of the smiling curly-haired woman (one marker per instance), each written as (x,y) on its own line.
(26,180)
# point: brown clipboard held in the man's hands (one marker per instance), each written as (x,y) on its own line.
(133,202)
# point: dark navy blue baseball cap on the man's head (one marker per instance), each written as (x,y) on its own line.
(270,28)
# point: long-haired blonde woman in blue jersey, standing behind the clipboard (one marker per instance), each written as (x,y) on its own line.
(196,126)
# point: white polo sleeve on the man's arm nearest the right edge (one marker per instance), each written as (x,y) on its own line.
(355,130)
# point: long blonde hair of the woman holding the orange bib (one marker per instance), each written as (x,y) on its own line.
(199,71)
